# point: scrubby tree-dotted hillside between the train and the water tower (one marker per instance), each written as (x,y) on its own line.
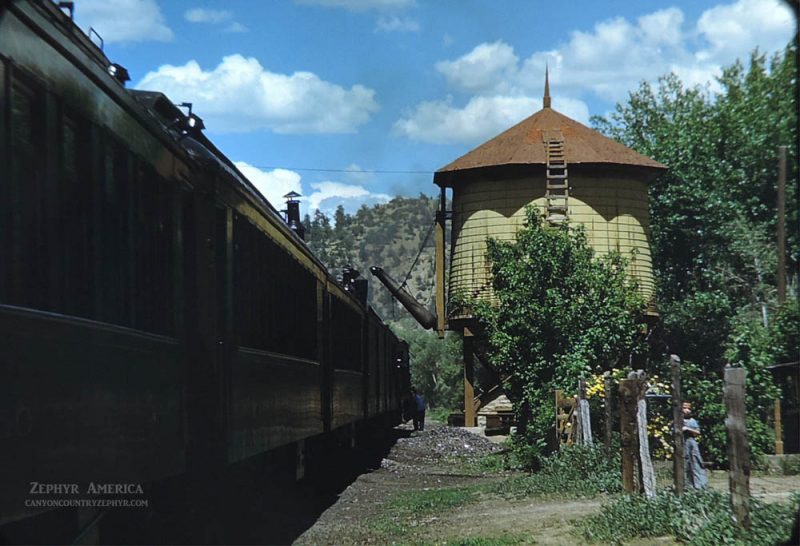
(388,235)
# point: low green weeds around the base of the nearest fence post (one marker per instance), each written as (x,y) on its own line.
(702,518)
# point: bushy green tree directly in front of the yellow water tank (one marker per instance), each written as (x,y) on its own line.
(562,313)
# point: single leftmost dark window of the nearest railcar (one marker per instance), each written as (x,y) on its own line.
(25,272)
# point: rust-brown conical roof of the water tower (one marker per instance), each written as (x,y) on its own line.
(523,144)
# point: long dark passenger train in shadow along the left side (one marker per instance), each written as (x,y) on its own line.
(158,316)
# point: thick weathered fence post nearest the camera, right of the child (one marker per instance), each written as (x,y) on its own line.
(738,447)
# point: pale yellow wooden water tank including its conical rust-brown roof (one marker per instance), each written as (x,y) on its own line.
(493,183)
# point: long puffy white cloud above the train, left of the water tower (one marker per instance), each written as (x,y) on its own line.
(240,95)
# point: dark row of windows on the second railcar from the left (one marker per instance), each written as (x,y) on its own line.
(275,297)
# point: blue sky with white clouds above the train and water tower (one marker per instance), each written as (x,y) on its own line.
(353,102)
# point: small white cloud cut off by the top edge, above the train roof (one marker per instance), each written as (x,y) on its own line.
(123,20)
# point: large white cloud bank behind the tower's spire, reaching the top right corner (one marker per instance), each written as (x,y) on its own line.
(616,55)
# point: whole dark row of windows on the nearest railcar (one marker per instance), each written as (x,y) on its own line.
(92,235)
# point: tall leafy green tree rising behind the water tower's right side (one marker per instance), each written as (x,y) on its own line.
(712,214)
